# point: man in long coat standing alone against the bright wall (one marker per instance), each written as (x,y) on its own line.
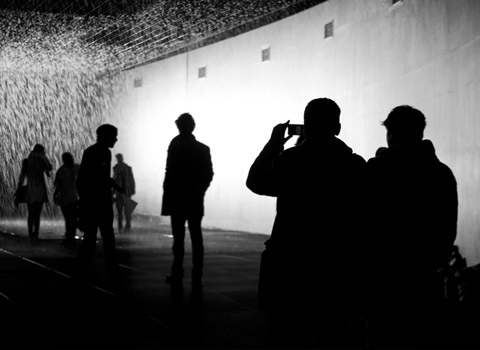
(187,177)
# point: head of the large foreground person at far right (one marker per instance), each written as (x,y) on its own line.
(405,125)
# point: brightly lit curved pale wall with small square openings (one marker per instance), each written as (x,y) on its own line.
(423,53)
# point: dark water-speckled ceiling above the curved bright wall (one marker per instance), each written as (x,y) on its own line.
(121,34)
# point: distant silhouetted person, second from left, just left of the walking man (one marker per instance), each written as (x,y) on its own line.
(66,195)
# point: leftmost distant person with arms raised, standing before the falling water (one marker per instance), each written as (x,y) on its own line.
(33,170)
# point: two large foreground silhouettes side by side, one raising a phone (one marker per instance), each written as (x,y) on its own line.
(356,243)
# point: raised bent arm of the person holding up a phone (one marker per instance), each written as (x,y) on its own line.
(260,178)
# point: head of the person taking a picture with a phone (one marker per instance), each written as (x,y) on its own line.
(321,118)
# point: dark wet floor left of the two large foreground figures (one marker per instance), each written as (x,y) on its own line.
(43,307)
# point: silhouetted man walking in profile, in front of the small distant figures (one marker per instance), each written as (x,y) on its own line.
(94,186)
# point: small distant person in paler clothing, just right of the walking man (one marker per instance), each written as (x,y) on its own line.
(123,176)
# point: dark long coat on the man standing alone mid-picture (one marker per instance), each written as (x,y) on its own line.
(188,175)
